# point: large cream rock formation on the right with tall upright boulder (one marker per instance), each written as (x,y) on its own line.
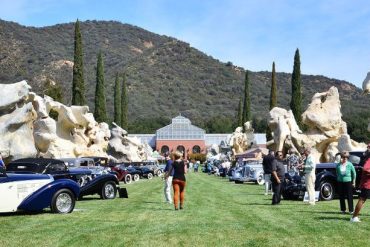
(326,134)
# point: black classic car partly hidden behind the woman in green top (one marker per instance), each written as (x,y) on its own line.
(294,185)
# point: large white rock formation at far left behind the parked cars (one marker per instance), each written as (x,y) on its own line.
(27,130)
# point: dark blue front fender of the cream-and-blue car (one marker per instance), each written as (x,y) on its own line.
(42,197)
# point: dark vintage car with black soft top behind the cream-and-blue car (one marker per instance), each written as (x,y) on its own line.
(106,185)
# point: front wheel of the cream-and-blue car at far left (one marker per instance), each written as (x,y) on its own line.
(63,202)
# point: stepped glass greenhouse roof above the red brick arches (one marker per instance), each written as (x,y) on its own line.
(180,129)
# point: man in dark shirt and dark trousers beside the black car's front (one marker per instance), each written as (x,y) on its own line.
(277,176)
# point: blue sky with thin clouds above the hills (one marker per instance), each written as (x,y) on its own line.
(333,36)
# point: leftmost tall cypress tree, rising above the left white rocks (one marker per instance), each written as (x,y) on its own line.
(78,83)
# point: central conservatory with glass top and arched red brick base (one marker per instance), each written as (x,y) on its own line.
(180,135)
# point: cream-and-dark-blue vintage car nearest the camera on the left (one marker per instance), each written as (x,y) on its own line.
(34,192)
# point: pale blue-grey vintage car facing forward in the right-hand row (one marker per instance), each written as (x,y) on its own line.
(251,170)
